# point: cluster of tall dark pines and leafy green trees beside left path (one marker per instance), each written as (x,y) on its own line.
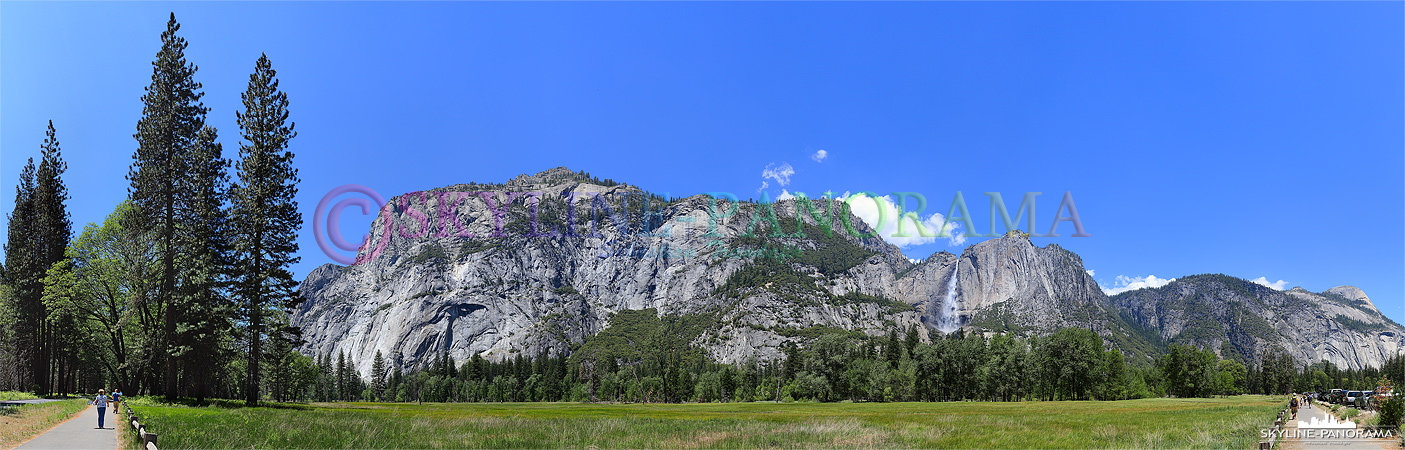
(185,289)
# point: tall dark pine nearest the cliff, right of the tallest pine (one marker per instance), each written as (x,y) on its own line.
(265,219)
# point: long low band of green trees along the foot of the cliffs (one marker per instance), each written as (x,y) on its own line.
(828,368)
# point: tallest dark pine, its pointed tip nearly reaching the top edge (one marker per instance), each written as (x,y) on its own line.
(169,130)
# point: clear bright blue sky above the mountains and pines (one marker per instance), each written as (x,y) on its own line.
(1255,140)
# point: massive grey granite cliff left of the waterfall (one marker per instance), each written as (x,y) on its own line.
(464,281)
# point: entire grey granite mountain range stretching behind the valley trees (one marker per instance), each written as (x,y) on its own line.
(542,262)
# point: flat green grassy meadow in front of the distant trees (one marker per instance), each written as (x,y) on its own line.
(1139,424)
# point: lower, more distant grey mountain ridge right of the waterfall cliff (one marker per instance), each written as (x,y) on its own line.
(1340,326)
